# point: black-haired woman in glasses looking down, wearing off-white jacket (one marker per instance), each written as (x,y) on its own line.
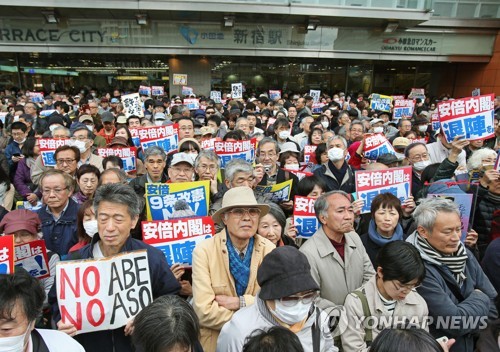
(387,298)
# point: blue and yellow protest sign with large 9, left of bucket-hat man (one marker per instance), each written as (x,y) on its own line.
(161,198)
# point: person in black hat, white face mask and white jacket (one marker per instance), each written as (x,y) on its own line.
(286,299)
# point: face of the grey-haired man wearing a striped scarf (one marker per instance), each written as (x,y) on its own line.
(445,234)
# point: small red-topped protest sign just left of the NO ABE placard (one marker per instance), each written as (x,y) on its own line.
(32,257)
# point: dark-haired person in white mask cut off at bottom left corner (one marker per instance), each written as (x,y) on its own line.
(21,303)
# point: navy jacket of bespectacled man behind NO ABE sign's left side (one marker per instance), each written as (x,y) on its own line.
(60,236)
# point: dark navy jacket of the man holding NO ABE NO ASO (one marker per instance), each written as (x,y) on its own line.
(163,282)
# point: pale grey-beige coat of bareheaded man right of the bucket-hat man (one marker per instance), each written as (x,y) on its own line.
(335,278)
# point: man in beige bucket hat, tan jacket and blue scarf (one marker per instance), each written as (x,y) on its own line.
(225,266)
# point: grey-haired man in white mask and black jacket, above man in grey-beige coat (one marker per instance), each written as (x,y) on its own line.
(337,173)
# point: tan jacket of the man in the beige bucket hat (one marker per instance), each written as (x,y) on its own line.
(211,277)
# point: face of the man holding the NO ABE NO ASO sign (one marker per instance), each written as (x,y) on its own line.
(114,224)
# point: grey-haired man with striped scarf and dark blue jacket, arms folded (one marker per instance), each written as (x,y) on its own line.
(458,293)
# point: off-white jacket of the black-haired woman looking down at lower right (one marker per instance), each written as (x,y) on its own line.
(412,310)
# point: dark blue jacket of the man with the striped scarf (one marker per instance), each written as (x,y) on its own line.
(462,319)
